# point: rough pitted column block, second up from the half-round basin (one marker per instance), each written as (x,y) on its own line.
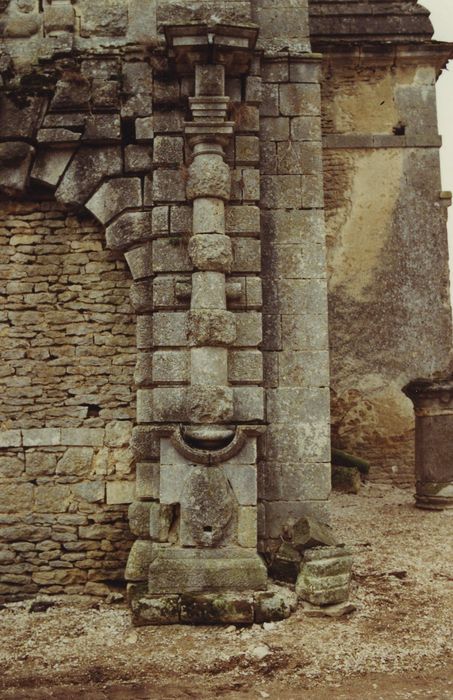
(211,327)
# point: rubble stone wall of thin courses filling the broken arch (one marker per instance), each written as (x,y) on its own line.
(67,402)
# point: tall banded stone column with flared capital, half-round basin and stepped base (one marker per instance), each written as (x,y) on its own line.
(196,558)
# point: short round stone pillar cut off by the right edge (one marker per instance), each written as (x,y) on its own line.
(433,404)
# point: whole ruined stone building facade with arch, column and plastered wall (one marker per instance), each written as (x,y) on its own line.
(205,206)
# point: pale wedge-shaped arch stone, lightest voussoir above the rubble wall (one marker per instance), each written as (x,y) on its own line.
(113,196)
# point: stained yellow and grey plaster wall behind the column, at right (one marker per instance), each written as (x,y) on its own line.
(390,318)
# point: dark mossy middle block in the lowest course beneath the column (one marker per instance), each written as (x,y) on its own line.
(217,609)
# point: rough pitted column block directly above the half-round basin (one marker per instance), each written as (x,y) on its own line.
(209,404)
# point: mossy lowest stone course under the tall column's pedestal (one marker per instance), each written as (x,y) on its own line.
(219,608)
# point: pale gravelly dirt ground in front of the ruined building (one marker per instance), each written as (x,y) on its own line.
(398,644)
